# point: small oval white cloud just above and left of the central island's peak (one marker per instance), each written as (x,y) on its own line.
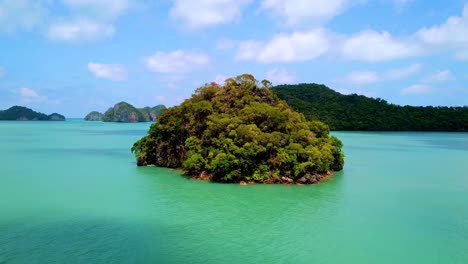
(176,62)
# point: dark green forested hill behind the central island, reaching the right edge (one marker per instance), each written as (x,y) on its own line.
(357,112)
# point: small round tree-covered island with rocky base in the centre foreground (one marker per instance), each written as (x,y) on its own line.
(240,131)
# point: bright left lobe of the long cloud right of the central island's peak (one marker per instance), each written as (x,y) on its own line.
(297,46)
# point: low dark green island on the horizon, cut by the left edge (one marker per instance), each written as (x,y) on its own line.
(22,113)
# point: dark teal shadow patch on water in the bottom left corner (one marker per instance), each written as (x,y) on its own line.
(76,241)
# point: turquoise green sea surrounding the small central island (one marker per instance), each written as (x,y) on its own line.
(70,192)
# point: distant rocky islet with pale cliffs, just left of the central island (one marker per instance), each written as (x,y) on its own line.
(127,113)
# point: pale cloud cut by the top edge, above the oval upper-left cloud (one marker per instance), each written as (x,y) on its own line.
(98,8)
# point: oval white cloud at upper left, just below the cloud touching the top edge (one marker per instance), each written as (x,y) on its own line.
(79,30)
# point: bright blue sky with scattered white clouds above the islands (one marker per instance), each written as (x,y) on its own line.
(75,56)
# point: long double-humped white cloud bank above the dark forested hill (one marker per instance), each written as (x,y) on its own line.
(368,46)
